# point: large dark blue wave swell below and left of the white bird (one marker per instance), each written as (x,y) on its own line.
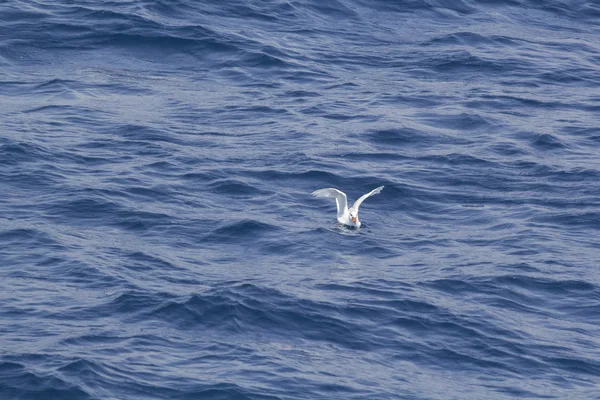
(248,308)
